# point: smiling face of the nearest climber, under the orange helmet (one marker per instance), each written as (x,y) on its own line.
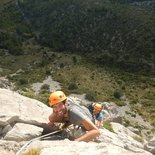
(59,109)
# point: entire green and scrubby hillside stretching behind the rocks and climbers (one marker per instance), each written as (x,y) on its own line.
(74,42)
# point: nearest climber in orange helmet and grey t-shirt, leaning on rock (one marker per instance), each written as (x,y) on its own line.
(67,112)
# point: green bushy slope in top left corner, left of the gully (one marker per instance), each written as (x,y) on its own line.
(13,28)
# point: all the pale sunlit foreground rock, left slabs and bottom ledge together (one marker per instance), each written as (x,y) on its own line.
(22,118)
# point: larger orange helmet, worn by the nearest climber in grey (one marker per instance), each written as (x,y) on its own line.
(56,97)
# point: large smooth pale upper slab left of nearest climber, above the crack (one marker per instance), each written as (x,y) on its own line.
(17,108)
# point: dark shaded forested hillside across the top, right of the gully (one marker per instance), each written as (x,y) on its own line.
(113,33)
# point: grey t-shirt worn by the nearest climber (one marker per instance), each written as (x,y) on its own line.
(77,113)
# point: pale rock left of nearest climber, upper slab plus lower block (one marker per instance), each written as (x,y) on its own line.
(21,118)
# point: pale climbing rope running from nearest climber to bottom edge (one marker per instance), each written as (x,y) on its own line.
(38,138)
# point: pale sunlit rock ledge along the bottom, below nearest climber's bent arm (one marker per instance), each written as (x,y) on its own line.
(107,144)
